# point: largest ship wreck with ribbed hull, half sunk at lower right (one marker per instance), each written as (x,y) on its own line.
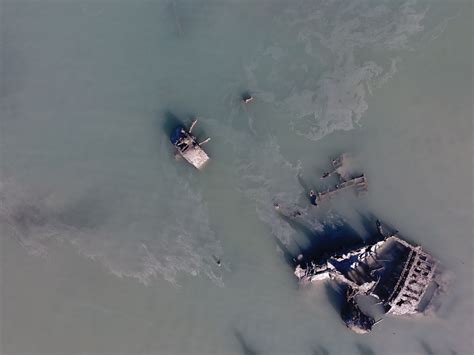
(401,276)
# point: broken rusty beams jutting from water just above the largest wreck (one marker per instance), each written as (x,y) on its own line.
(358,184)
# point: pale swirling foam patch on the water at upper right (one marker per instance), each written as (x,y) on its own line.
(332,34)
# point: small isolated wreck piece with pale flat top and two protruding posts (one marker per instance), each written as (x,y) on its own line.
(188,146)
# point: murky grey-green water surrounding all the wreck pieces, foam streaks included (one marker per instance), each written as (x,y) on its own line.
(108,243)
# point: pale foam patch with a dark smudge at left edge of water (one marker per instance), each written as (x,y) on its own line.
(178,239)
